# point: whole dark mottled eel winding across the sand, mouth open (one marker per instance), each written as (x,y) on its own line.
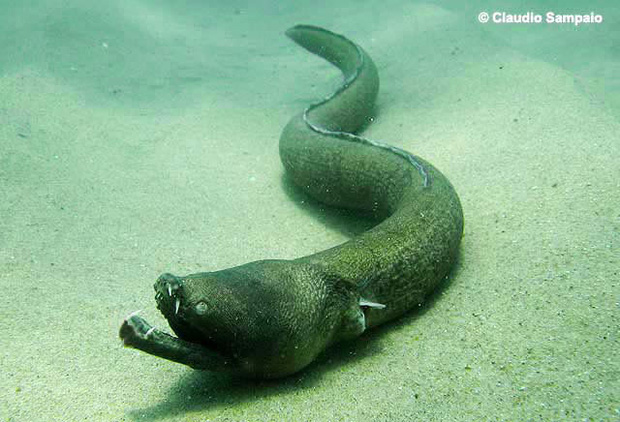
(271,318)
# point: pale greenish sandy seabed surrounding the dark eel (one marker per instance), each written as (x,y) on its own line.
(141,137)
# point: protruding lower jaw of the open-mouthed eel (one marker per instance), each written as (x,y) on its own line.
(139,334)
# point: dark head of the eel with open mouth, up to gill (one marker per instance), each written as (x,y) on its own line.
(263,319)
